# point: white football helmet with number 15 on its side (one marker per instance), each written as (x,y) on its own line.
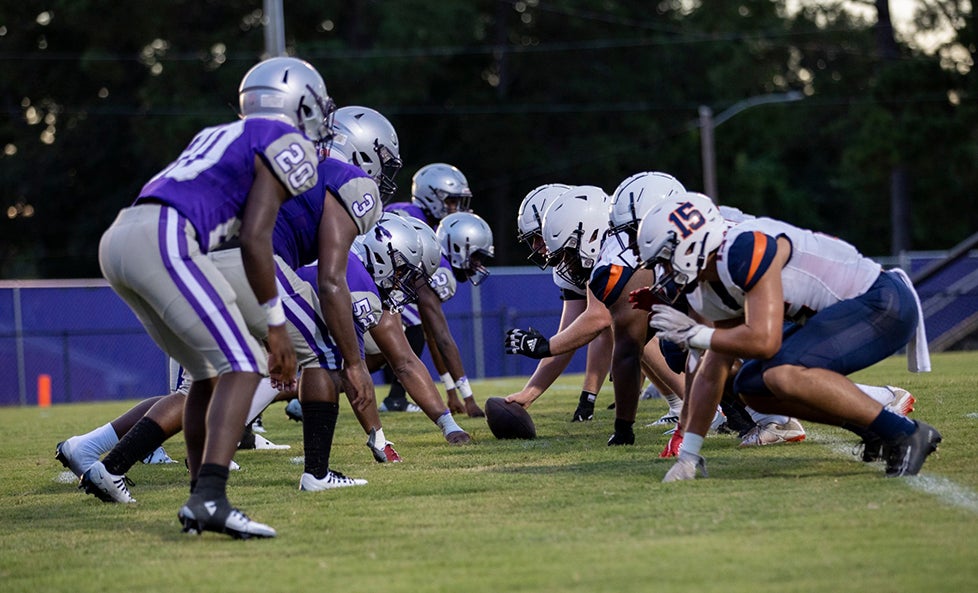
(678,235)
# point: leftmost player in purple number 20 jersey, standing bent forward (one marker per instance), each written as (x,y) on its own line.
(229,182)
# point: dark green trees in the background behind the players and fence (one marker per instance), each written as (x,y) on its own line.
(516,94)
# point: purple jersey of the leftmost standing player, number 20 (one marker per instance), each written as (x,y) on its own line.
(210,181)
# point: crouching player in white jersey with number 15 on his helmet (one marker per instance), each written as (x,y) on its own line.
(813,311)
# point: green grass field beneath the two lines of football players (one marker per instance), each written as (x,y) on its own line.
(561,513)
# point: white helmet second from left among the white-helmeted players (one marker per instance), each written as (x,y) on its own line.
(574,227)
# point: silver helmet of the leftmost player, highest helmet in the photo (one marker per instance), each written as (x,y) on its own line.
(289,89)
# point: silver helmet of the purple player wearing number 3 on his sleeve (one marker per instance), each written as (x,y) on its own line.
(367,139)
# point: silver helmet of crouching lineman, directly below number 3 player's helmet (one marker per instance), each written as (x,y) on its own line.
(392,253)
